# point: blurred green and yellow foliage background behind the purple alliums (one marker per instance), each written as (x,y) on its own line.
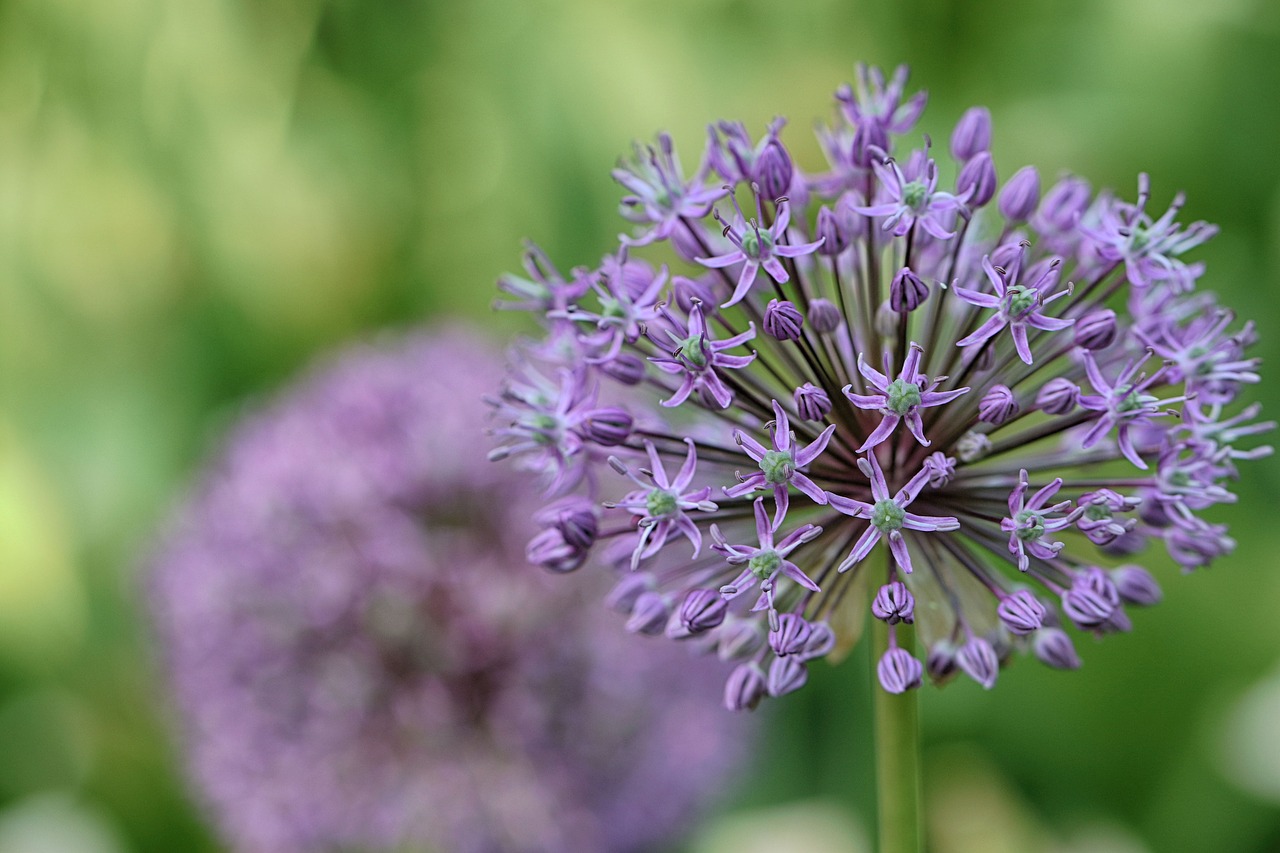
(198,197)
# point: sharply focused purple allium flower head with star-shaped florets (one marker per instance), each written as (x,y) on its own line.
(1018,389)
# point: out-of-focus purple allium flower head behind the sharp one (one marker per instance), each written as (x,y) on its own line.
(364,659)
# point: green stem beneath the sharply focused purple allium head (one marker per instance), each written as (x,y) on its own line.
(898,754)
